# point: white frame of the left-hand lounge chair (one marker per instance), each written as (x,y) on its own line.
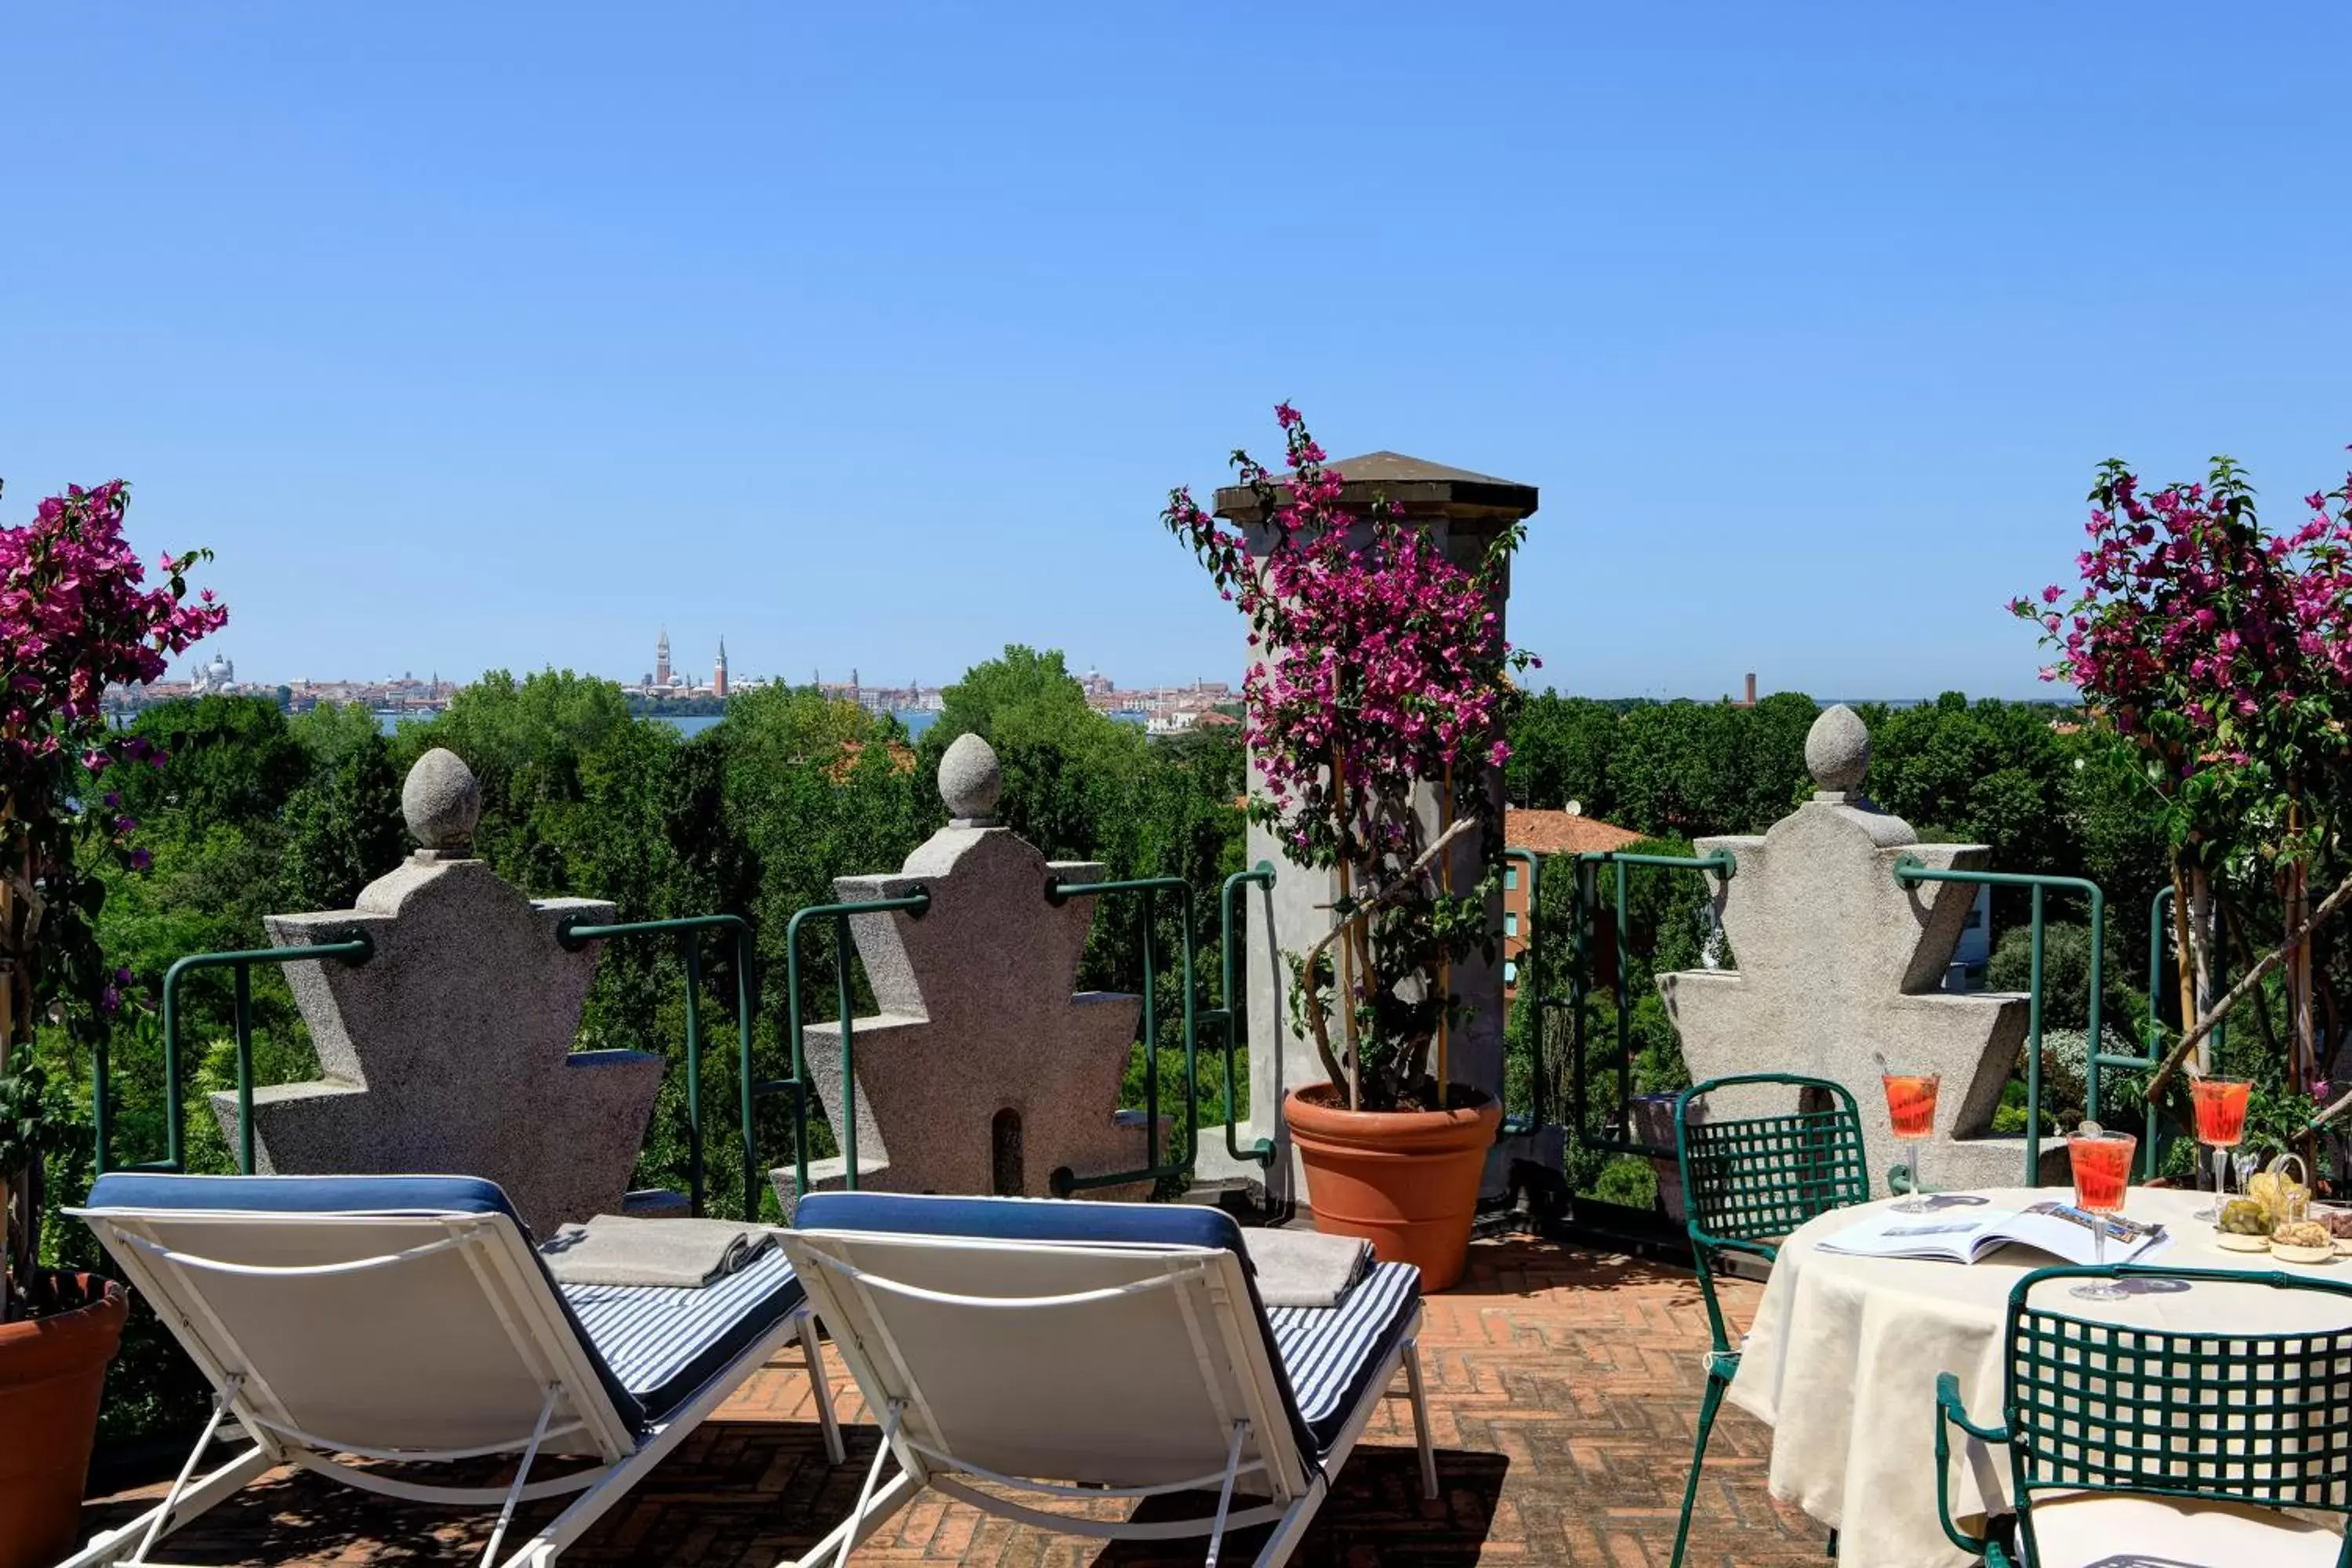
(575,1414)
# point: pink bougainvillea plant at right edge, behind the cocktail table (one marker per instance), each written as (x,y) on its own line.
(2224,655)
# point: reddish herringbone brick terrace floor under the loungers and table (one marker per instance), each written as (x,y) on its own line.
(1563,1391)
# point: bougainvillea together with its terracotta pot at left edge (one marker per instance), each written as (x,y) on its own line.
(74,619)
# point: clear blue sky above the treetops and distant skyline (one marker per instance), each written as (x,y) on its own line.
(871,335)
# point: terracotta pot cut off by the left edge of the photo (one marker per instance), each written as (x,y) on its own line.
(51,1374)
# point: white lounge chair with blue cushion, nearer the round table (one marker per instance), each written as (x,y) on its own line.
(1095,1351)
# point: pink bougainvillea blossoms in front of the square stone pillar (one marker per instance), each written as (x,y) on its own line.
(1379,662)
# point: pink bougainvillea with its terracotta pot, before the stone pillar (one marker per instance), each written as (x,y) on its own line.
(1377,704)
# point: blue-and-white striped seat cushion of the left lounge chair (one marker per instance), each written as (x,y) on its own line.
(667,1343)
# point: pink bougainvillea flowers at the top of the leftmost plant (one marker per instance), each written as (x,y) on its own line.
(74,619)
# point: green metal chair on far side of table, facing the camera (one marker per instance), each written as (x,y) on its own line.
(1746,1186)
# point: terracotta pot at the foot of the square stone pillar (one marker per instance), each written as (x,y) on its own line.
(1405,1181)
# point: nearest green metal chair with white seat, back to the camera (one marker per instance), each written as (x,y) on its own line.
(2111,1409)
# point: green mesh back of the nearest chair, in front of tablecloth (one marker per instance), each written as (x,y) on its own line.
(2236,1416)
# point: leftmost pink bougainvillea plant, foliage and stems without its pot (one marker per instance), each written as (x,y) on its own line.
(76,617)
